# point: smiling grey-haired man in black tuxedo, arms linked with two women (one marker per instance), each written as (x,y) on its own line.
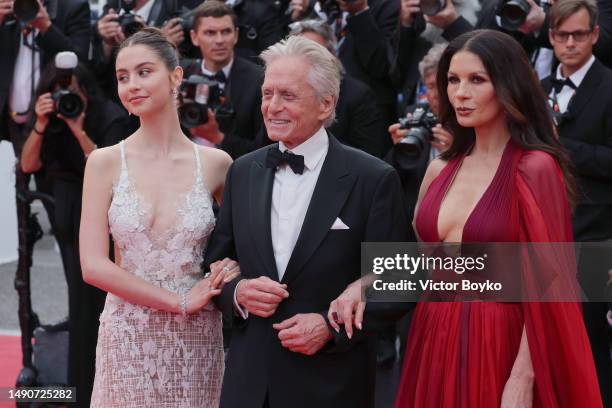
(294,215)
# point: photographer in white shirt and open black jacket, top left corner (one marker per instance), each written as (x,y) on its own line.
(29,41)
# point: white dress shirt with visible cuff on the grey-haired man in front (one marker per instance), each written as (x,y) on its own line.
(291,195)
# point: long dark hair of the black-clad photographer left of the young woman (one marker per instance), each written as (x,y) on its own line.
(88,84)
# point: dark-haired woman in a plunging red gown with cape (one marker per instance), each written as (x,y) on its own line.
(503,180)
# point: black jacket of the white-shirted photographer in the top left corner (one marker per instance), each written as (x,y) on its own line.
(70,31)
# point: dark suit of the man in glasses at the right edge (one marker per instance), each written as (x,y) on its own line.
(586,133)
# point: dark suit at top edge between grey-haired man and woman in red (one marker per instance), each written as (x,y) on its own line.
(366,52)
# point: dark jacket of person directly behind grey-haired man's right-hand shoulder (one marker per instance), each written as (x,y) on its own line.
(358,122)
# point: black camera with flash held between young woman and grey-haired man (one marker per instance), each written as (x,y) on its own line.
(198,94)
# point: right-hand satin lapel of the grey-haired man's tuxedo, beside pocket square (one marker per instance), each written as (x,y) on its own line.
(331,191)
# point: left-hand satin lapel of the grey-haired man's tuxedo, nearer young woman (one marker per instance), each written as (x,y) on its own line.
(260,196)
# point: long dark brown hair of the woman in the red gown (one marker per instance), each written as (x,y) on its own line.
(518,91)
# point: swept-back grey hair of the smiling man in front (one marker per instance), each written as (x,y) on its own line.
(324,75)
